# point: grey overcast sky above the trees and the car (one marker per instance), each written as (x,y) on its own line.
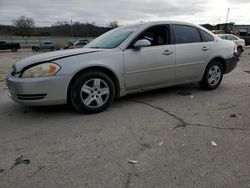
(47,12)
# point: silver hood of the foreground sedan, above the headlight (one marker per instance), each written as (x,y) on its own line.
(50,56)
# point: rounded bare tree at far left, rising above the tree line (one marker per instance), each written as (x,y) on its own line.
(24,26)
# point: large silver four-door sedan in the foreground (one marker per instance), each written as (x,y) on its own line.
(124,60)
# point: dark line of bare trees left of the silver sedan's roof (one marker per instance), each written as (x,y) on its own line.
(24,26)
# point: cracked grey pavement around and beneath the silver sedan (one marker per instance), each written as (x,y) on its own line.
(67,149)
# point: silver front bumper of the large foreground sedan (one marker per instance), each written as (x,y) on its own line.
(38,91)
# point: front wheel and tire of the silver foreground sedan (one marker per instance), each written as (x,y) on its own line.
(92,92)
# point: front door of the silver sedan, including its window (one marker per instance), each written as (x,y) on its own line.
(152,65)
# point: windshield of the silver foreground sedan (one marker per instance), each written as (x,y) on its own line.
(113,38)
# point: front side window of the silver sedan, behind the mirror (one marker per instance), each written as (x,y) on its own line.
(157,35)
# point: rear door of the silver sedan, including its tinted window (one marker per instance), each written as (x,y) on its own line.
(192,53)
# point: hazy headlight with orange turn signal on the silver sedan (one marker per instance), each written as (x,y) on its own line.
(41,70)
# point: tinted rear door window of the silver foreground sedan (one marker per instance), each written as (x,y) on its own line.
(186,34)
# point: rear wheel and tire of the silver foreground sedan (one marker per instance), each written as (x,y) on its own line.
(213,76)
